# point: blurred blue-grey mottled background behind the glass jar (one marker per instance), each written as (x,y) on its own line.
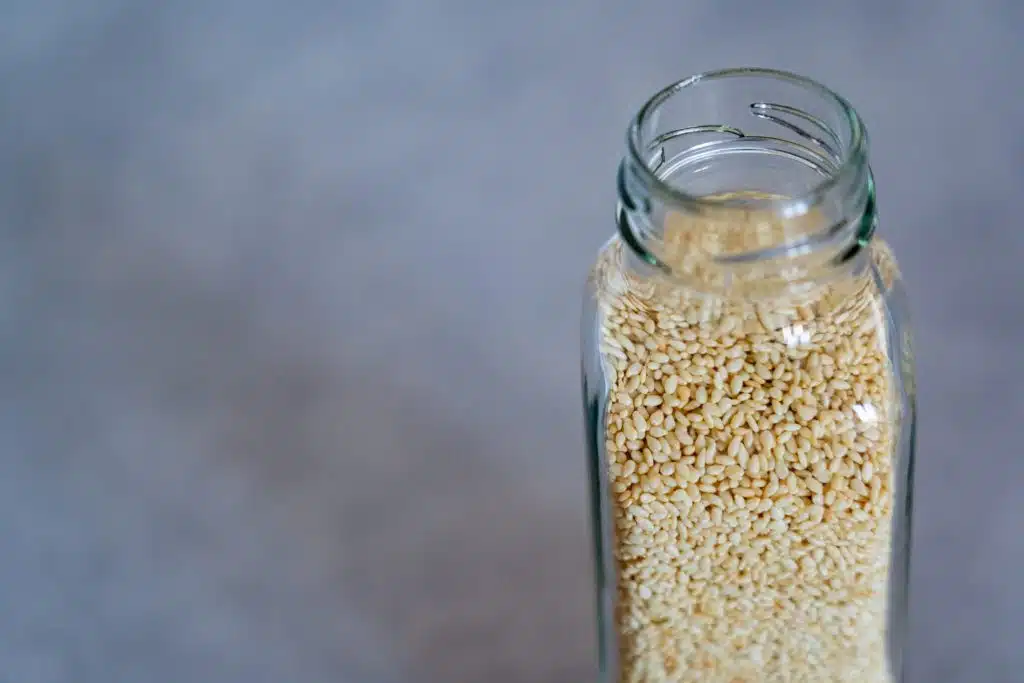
(289,301)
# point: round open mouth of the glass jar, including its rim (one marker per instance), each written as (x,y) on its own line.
(755,131)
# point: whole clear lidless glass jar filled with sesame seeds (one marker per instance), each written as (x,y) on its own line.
(750,403)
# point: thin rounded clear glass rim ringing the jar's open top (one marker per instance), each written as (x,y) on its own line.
(849,163)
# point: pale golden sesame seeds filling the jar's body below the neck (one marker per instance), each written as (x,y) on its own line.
(750,457)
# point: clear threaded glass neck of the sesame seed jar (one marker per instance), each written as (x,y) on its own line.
(747,184)
